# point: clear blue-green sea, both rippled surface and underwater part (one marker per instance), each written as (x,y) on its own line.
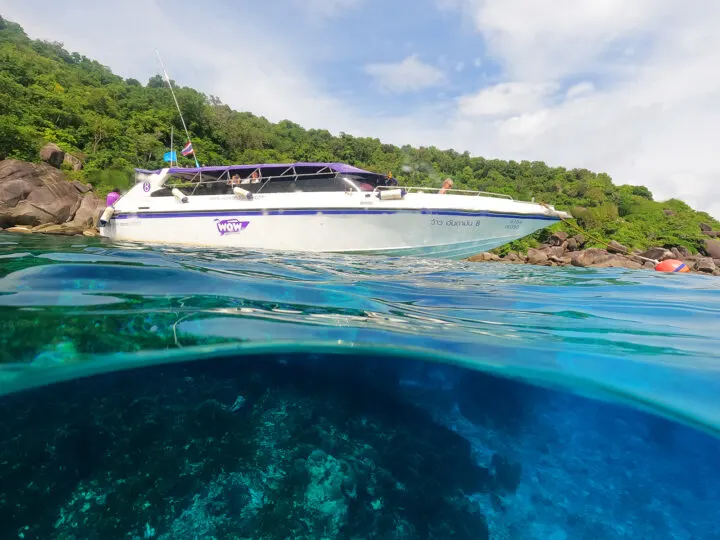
(155,392)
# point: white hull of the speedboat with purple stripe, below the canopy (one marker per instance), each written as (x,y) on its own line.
(427,225)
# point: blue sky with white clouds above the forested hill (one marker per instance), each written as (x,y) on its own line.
(627,87)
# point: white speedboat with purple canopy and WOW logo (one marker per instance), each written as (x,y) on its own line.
(316,207)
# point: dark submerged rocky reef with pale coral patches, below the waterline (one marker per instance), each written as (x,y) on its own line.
(310,454)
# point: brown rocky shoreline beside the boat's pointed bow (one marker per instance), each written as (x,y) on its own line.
(565,250)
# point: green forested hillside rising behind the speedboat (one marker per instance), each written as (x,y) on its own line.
(113,125)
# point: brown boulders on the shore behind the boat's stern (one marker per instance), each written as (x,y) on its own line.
(36,194)
